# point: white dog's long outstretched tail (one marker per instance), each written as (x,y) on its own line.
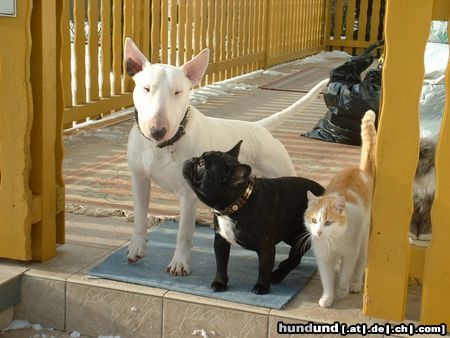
(273,121)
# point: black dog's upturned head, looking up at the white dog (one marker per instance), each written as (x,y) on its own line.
(217,178)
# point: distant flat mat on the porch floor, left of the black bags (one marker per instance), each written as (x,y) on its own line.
(301,81)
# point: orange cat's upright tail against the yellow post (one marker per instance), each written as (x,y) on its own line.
(369,139)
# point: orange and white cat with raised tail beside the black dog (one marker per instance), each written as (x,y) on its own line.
(339,221)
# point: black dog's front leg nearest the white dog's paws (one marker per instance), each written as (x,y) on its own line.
(222,253)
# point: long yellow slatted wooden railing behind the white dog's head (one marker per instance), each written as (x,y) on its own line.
(243,36)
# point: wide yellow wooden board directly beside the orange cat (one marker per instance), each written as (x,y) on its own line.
(397,154)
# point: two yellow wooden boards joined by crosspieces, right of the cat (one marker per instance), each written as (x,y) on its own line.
(390,255)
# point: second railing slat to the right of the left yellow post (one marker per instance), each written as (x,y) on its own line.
(79,12)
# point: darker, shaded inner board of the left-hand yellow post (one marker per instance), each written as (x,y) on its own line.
(43,134)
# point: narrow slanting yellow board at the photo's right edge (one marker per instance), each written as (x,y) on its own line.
(436,279)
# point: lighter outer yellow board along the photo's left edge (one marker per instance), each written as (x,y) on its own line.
(16,115)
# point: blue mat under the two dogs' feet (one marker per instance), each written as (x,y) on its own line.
(242,269)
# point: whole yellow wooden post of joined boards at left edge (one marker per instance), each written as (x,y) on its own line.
(31,183)
